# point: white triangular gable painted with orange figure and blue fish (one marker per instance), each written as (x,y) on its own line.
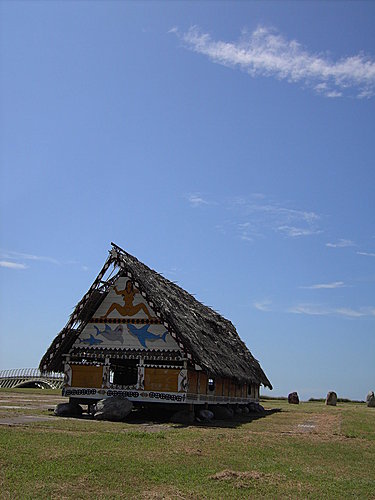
(125,320)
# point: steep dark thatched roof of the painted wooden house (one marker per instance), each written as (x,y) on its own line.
(208,339)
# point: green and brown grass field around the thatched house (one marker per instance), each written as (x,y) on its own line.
(308,450)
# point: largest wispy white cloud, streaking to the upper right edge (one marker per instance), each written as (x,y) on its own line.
(267,53)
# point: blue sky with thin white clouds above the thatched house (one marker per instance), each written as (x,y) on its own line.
(228,145)
